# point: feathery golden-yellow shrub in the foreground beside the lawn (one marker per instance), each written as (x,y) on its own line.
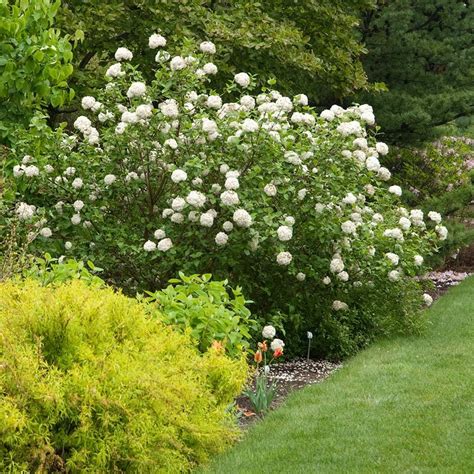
(89,384)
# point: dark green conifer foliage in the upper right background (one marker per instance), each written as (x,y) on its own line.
(423,50)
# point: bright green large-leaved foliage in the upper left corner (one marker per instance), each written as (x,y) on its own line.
(35,62)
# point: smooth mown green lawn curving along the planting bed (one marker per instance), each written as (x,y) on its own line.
(401,406)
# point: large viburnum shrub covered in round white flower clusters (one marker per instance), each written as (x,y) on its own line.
(293,206)
